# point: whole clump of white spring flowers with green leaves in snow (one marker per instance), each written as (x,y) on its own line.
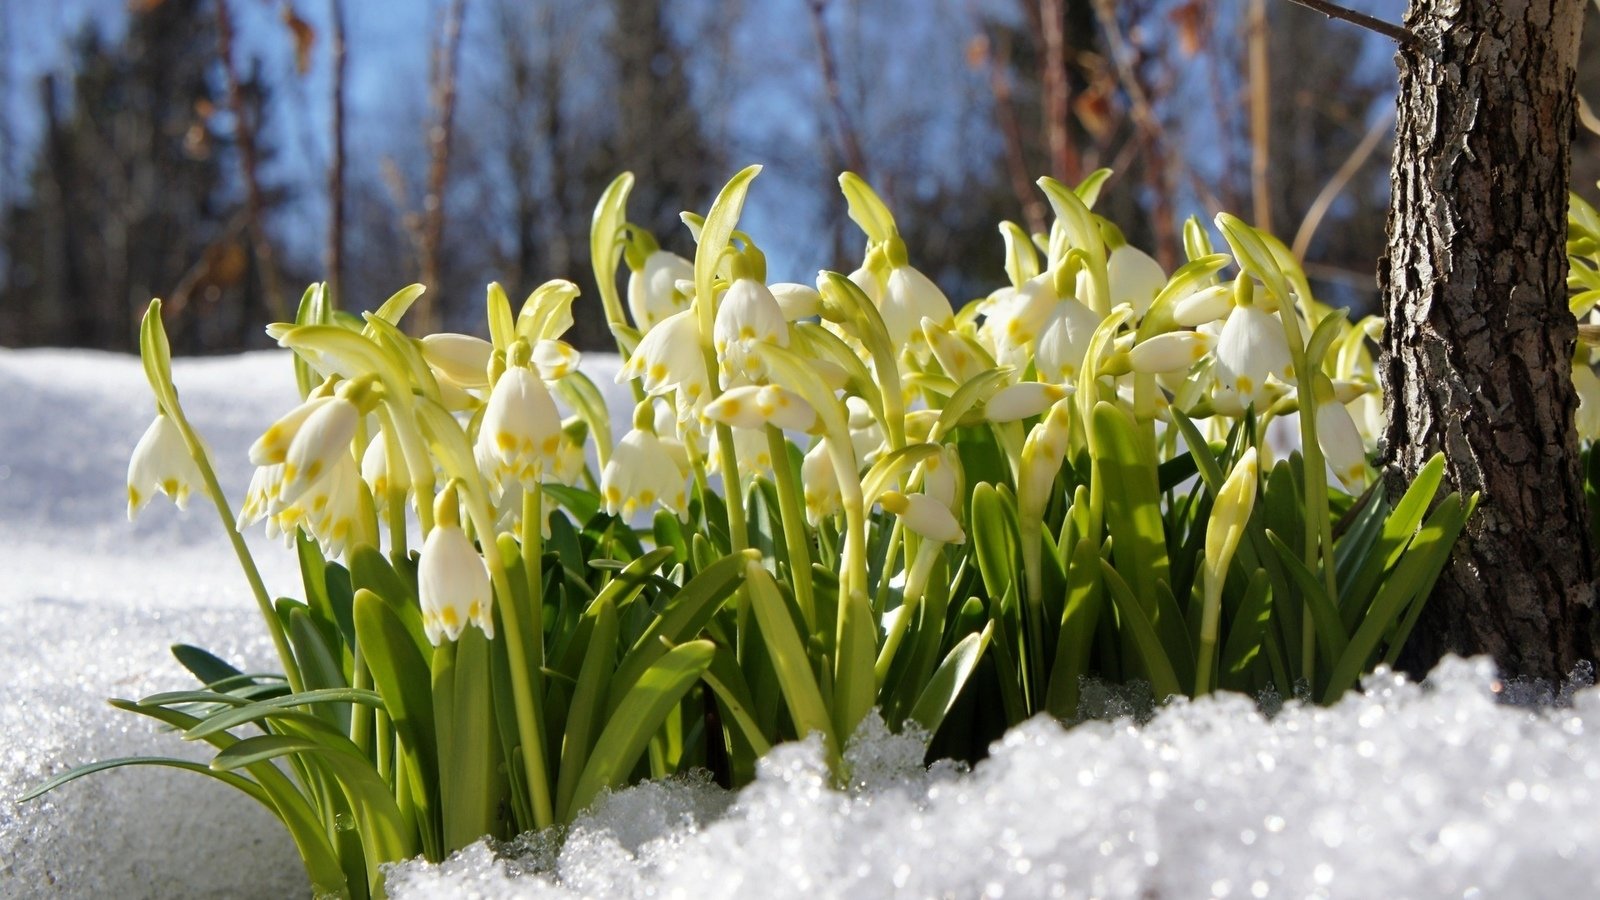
(834,499)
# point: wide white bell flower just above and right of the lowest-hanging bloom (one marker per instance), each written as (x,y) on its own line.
(521,435)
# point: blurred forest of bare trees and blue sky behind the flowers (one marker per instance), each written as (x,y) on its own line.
(222,155)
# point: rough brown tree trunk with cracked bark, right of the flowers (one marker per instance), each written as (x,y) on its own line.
(1479,337)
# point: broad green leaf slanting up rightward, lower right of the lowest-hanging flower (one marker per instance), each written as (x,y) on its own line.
(639,717)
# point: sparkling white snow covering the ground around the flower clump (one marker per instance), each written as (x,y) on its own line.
(1438,790)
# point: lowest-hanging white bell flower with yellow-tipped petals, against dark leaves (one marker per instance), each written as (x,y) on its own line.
(452,581)
